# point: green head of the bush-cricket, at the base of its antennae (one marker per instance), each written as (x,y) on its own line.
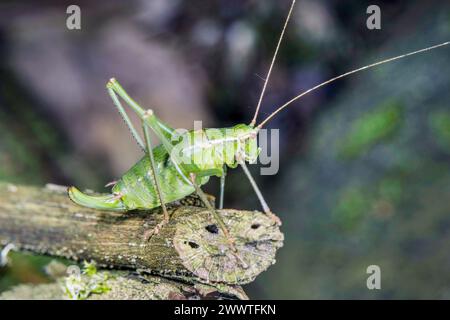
(248,142)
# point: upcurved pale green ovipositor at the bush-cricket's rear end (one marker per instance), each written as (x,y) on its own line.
(101,202)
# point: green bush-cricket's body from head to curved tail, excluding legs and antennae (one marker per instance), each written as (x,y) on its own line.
(201,152)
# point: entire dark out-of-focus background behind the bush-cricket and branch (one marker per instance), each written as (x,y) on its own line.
(364,163)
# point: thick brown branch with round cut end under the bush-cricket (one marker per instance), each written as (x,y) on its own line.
(189,248)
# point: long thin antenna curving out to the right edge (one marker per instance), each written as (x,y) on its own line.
(347,74)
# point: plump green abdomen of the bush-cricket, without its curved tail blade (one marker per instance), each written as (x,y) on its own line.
(137,186)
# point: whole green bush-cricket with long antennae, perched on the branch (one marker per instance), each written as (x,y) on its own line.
(163,175)
